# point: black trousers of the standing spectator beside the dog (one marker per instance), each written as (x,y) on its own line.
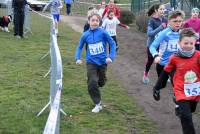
(18,23)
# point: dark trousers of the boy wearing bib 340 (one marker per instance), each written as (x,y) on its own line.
(96,78)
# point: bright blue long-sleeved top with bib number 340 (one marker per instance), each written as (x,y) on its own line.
(96,51)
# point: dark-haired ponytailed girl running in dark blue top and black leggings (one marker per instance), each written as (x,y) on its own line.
(156,23)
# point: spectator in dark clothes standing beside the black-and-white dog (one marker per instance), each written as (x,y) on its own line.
(18,9)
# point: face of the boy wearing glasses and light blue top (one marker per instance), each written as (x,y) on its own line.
(176,23)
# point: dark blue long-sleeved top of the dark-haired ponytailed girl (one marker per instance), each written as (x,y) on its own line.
(154,27)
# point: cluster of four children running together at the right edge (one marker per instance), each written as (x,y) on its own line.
(173,45)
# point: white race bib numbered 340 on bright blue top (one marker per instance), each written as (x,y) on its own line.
(96,48)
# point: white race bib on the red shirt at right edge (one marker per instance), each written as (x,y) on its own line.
(192,89)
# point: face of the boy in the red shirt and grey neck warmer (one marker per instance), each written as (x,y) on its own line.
(187,43)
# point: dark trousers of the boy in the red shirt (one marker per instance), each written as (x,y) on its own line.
(184,112)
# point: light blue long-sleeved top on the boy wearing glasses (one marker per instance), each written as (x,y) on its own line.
(169,38)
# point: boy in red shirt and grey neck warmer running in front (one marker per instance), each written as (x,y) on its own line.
(186,63)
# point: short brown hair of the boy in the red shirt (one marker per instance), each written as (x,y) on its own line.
(187,32)
